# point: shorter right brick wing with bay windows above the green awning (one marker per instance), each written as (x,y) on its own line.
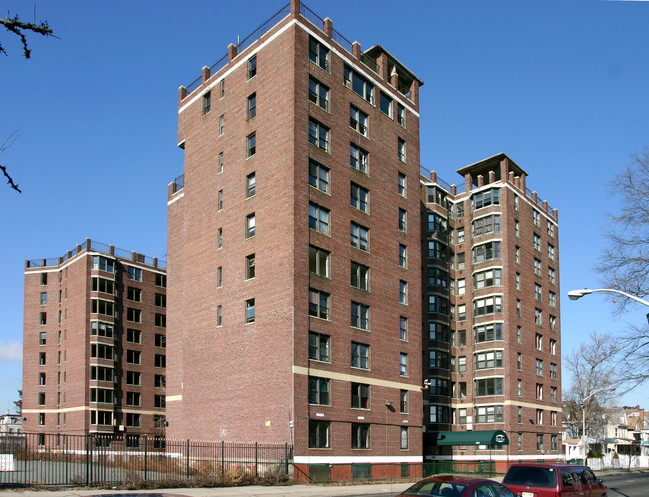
(491,315)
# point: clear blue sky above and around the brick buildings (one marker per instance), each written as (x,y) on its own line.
(560,86)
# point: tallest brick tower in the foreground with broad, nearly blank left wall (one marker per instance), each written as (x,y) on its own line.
(294,249)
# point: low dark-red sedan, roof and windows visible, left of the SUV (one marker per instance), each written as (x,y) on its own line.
(457,486)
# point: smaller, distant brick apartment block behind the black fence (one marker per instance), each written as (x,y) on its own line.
(94,343)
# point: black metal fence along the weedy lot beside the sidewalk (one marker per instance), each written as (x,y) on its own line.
(91,460)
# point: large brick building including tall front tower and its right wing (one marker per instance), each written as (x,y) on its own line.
(313,270)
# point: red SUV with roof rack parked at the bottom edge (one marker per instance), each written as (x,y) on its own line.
(553,480)
